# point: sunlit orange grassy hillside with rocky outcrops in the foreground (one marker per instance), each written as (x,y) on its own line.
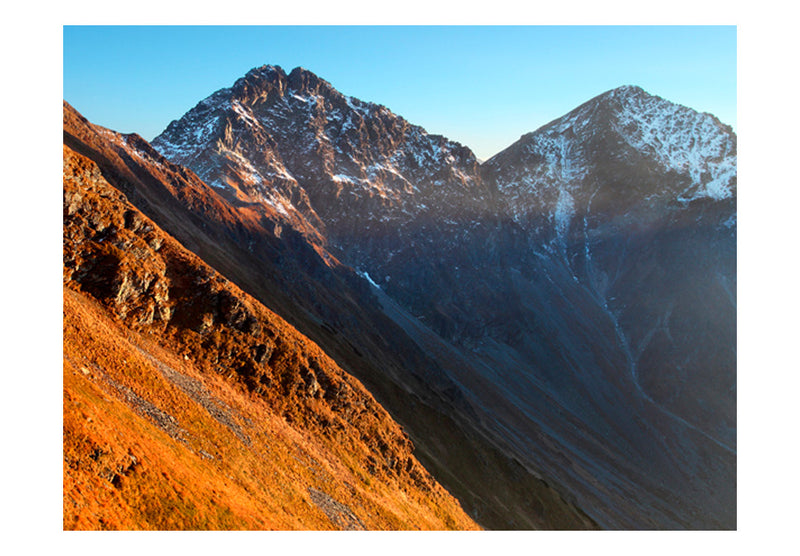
(188,405)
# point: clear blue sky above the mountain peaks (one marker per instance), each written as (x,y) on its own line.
(481,86)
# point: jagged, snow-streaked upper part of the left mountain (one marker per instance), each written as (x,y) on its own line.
(321,160)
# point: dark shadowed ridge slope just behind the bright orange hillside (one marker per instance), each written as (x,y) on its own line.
(288,270)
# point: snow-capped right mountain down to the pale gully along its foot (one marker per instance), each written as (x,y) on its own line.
(636,198)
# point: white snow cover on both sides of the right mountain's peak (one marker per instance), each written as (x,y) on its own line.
(678,138)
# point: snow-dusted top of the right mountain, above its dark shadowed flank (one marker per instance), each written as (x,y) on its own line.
(626,127)
